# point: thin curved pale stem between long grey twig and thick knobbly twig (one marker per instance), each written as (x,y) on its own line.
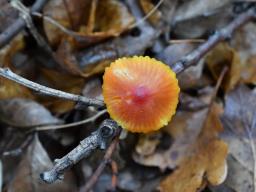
(54,127)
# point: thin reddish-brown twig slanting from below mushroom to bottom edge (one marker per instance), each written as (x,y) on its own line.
(101,167)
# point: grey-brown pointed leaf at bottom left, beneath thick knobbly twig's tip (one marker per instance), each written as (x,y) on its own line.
(34,162)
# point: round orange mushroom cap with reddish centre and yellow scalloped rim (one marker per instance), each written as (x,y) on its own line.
(140,93)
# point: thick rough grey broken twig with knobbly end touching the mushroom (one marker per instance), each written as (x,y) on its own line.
(98,139)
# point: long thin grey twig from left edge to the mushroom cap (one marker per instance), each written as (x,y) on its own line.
(7,73)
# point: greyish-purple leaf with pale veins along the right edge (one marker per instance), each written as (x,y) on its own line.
(239,121)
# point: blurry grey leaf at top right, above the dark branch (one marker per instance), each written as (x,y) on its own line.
(207,17)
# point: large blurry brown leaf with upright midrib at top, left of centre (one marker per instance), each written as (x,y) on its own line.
(100,20)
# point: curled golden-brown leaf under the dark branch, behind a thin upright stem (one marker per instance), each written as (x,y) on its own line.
(221,56)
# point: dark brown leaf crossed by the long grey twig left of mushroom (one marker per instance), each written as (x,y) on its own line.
(59,81)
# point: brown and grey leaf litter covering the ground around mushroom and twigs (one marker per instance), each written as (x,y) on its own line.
(208,146)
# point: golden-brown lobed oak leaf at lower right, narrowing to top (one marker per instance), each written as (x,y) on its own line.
(207,163)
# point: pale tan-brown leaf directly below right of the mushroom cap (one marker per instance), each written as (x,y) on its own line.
(184,130)
